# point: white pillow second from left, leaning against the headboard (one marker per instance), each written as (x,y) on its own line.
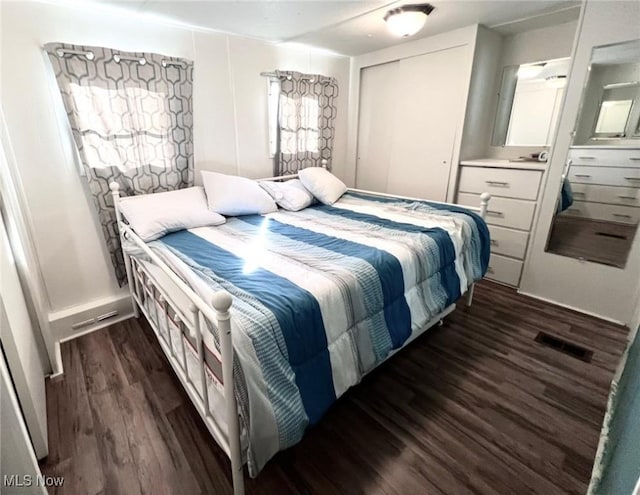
(232,195)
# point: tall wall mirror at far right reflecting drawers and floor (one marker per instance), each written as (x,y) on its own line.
(598,207)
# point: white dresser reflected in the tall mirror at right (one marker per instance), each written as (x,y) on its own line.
(605,184)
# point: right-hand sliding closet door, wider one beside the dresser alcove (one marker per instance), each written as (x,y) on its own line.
(429,101)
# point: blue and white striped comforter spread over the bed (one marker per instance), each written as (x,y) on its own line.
(323,295)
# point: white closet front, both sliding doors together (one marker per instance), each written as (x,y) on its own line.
(409,114)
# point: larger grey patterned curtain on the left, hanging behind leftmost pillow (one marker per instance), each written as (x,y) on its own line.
(131,117)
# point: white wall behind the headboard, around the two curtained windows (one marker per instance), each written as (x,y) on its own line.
(230,126)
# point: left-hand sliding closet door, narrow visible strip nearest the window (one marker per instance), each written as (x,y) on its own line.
(375,132)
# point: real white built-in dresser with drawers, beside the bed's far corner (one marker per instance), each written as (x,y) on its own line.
(515,191)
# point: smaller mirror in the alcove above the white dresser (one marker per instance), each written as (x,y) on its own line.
(529,102)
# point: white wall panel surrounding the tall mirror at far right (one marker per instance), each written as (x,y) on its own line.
(590,287)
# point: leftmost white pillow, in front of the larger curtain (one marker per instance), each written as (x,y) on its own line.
(153,215)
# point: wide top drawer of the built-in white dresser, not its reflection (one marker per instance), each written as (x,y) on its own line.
(509,183)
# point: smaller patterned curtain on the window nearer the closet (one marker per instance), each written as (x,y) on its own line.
(306,115)
